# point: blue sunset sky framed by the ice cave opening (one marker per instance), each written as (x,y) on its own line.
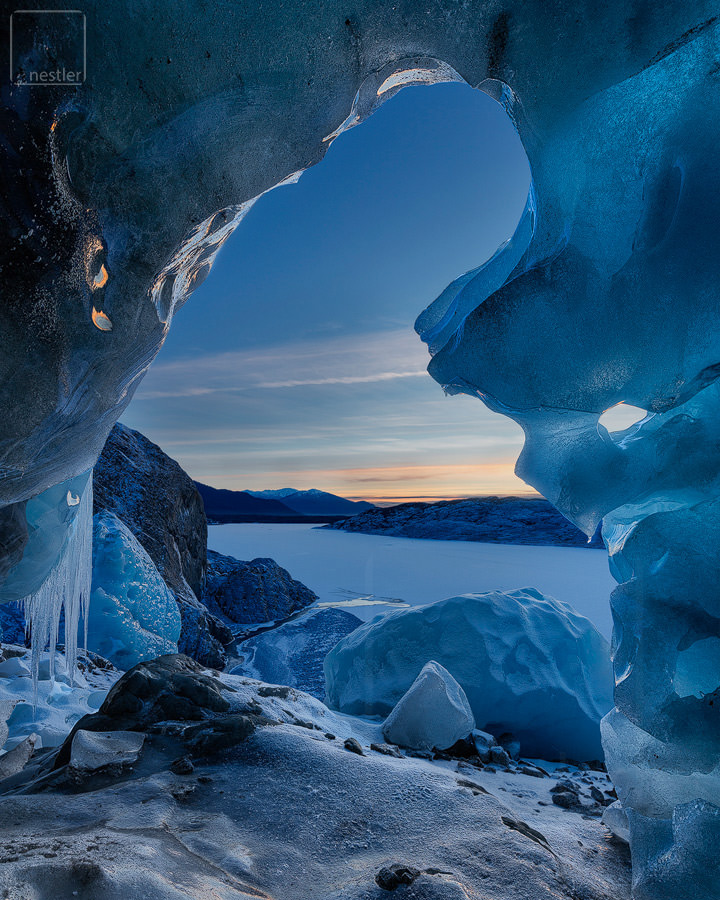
(295,364)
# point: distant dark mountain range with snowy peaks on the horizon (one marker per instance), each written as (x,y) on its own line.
(286,503)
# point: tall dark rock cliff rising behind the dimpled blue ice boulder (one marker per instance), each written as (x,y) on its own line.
(158,501)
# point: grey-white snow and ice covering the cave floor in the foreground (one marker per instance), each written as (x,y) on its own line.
(290,813)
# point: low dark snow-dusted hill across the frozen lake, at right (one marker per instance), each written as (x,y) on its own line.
(493,520)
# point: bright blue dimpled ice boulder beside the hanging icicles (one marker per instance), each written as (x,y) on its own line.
(133,614)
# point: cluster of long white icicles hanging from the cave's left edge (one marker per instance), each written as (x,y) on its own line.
(67,586)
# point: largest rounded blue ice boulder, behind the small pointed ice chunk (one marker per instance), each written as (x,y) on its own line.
(528,664)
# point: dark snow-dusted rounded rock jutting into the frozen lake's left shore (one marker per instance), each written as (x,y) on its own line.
(256,591)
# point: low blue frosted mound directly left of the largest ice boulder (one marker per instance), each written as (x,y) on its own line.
(294,653)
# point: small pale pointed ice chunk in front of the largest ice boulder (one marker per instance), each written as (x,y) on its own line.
(433,712)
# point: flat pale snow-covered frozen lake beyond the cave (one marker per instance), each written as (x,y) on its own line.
(368,574)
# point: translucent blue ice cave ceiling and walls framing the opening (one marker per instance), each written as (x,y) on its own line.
(117,194)
